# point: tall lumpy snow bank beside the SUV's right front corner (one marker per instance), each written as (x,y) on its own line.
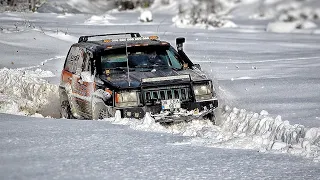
(273,133)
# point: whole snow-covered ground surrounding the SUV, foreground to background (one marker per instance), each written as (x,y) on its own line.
(254,70)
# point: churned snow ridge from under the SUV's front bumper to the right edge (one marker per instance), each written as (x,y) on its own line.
(239,129)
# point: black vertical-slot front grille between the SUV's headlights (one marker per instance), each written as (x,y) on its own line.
(155,95)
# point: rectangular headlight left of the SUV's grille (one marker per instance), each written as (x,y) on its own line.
(124,99)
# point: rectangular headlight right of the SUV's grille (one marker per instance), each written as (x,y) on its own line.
(203,92)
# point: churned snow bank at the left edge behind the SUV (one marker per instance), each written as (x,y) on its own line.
(24,92)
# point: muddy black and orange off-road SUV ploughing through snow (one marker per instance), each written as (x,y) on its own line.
(133,76)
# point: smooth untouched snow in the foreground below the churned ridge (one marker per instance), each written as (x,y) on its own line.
(36,148)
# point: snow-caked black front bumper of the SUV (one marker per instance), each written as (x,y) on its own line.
(188,111)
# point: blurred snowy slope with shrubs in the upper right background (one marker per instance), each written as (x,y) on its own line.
(286,16)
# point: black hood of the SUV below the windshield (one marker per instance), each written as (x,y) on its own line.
(121,80)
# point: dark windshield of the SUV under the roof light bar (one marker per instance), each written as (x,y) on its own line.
(141,58)
